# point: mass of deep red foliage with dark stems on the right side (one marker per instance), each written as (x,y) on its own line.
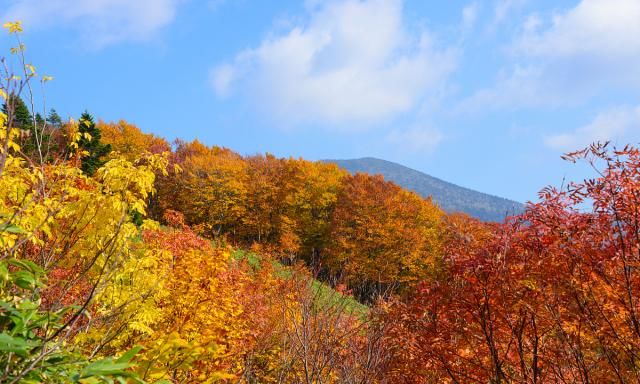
(551,296)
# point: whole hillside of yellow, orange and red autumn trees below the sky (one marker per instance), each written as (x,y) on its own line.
(126,258)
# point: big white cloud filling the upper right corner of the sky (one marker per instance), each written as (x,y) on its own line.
(569,57)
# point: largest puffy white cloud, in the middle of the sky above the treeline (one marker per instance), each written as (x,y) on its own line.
(352,62)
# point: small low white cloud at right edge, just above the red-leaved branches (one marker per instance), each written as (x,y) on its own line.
(614,124)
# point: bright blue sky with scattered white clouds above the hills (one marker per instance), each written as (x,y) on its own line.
(486,94)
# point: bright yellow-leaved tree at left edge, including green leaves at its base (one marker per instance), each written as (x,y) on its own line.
(64,244)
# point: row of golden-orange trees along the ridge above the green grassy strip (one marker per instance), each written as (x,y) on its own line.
(357,230)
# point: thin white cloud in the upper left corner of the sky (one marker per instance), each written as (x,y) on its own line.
(100,22)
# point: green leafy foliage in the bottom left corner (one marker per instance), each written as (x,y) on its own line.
(29,352)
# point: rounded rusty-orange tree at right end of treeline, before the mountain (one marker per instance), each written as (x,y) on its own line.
(383,237)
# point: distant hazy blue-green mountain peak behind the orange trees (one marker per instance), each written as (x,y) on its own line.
(450,197)
